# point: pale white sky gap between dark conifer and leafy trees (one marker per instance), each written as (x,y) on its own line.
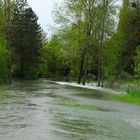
(43,9)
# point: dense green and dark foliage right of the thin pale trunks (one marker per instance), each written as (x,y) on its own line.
(121,47)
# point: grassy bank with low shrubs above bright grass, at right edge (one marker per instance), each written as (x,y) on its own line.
(127,84)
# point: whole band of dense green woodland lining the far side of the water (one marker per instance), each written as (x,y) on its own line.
(93,40)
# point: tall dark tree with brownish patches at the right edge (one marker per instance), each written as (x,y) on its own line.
(129,28)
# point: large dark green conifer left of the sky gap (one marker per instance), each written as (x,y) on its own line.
(26,42)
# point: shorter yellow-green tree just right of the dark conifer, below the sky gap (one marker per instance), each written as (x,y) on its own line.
(54,61)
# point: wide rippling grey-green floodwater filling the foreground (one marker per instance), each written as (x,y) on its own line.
(42,110)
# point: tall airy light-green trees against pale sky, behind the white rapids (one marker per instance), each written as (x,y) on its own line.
(79,35)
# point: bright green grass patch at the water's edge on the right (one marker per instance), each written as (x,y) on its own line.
(131,97)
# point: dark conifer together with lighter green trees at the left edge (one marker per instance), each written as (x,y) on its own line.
(21,41)
